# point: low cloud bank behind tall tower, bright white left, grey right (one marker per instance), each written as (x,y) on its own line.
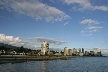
(29,43)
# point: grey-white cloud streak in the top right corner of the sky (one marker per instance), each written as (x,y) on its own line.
(85,4)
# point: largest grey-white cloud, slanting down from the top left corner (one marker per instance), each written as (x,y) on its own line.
(34,8)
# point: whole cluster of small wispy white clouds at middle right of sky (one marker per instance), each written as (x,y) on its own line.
(91,26)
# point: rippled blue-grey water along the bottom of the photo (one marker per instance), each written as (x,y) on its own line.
(80,64)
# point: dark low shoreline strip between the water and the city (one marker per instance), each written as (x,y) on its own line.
(19,59)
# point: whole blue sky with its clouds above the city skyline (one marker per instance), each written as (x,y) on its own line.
(62,23)
